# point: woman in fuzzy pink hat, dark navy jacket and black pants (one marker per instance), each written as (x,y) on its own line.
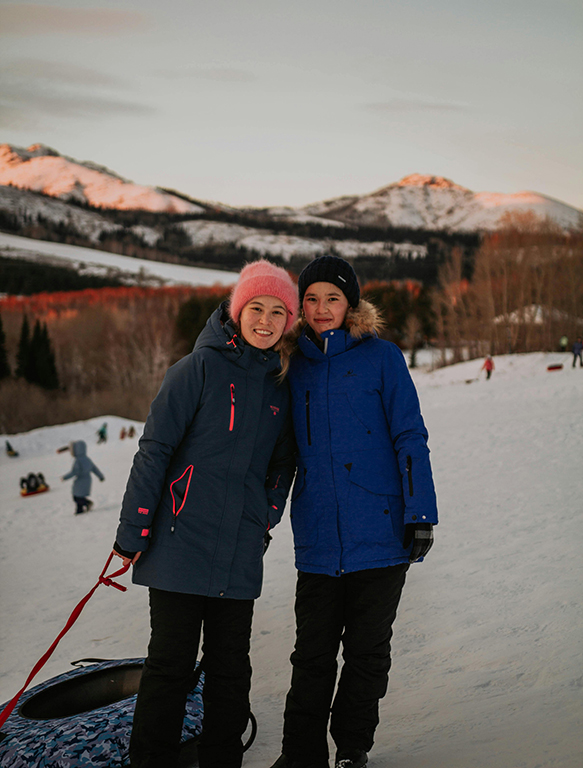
(210,479)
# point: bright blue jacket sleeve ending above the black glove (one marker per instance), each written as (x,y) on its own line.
(409,438)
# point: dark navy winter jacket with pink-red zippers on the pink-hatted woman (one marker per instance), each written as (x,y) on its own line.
(213,469)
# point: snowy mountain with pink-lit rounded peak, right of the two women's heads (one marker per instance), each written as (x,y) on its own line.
(432,202)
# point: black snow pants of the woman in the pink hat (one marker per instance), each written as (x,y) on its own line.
(176,620)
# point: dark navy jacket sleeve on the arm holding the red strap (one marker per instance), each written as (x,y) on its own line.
(171,413)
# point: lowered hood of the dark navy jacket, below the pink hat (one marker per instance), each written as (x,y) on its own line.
(220,333)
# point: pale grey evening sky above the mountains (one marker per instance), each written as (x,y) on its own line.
(263,102)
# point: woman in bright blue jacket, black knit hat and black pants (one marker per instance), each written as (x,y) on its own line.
(363,508)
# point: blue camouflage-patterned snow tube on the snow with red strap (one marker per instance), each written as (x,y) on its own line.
(83,718)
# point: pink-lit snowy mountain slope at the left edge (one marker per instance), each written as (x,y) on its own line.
(42,169)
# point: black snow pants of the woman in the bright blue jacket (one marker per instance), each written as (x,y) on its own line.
(358,609)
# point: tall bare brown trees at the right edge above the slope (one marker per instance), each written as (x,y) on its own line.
(524,294)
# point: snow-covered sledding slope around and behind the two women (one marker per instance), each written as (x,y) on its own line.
(488,659)
